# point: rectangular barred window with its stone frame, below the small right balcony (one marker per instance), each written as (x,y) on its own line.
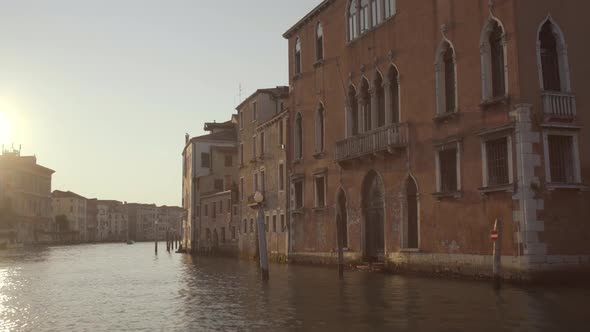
(562,160)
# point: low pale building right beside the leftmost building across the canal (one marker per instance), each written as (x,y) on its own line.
(70,214)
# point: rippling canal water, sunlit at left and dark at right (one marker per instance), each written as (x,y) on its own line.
(118,287)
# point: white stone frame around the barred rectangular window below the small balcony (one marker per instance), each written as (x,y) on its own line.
(575,158)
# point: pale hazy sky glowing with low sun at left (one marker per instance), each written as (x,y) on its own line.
(103,91)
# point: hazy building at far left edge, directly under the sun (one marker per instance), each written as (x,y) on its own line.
(25,199)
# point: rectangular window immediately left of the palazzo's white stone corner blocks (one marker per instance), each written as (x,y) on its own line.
(498,162)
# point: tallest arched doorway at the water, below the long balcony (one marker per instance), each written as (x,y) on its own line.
(374,213)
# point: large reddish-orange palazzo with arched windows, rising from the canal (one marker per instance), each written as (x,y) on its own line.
(416,125)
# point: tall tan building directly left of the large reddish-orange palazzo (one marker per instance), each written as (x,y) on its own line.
(263,166)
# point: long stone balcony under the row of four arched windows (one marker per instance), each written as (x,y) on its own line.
(383,139)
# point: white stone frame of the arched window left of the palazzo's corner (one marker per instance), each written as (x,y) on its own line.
(486,60)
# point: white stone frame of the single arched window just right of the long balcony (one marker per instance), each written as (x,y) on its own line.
(440,78)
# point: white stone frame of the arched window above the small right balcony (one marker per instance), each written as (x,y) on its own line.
(562,52)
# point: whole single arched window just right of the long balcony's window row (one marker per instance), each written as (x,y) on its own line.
(446,83)
